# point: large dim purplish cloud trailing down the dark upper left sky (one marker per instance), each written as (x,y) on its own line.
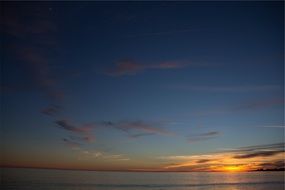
(35,42)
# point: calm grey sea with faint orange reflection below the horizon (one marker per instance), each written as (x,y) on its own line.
(35,179)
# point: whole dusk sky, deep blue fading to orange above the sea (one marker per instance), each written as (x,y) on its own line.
(143,86)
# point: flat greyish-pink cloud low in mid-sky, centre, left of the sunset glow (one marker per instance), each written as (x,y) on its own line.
(128,126)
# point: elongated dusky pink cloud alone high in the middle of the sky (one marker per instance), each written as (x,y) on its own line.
(132,67)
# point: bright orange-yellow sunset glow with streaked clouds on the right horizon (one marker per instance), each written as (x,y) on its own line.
(221,162)
